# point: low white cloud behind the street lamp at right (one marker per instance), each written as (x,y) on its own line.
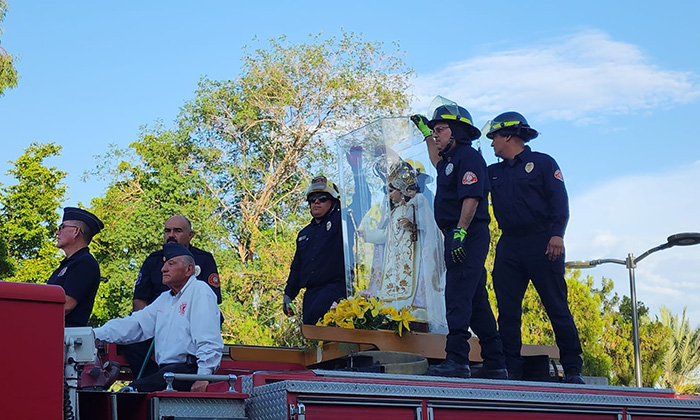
(634,214)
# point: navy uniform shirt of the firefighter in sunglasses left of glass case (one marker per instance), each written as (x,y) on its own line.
(318,259)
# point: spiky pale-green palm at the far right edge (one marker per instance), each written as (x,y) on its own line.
(682,359)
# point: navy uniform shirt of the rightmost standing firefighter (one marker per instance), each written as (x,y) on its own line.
(528,194)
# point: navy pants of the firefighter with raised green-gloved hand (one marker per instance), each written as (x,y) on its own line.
(467,302)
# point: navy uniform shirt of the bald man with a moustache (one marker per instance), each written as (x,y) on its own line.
(149,284)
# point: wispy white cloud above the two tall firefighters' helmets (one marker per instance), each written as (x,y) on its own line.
(584,74)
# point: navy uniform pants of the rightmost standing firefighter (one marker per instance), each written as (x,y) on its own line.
(520,259)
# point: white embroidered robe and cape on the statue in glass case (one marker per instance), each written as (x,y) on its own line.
(412,273)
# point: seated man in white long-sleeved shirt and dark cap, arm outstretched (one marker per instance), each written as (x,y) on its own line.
(184,323)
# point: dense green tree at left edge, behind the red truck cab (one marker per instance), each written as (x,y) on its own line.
(28,216)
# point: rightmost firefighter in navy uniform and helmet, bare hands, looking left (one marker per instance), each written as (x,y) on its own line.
(531,206)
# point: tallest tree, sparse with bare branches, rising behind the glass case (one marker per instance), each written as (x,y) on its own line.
(271,125)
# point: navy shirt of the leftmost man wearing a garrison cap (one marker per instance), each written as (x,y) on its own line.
(79,276)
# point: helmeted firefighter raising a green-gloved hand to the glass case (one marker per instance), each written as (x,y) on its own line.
(461,212)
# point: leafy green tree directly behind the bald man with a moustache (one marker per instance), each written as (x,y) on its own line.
(151,181)
